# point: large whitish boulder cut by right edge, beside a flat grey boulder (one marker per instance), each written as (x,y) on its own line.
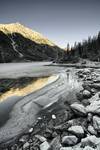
(94,108)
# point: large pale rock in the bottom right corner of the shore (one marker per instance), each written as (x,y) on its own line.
(91,141)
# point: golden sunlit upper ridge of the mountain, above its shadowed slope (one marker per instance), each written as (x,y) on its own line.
(26,32)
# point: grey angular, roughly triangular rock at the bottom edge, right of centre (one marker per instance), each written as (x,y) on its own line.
(55,144)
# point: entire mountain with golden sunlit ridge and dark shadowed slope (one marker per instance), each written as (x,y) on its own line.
(18,43)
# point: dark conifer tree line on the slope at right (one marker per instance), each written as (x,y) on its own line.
(87,49)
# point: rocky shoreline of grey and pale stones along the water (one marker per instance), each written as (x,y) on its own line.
(66,125)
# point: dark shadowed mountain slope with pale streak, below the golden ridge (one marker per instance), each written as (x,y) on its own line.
(15,47)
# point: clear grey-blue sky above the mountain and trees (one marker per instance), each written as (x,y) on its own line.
(61,21)
